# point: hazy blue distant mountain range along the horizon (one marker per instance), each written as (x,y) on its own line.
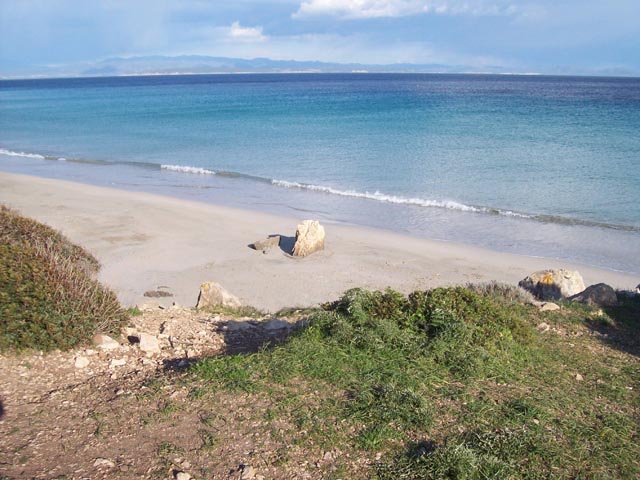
(199,64)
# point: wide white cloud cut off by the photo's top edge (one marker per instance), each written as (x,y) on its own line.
(399,8)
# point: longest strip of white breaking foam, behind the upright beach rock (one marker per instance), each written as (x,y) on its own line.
(382,197)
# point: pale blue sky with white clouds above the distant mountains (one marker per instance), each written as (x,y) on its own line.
(547,36)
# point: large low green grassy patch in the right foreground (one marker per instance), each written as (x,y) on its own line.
(450,383)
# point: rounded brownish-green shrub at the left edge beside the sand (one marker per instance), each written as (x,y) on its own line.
(49,298)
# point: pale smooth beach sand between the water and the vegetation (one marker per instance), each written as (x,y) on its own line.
(145,241)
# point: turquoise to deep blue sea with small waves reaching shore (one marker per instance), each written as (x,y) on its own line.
(533,165)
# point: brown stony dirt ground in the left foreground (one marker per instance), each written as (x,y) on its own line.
(126,412)
